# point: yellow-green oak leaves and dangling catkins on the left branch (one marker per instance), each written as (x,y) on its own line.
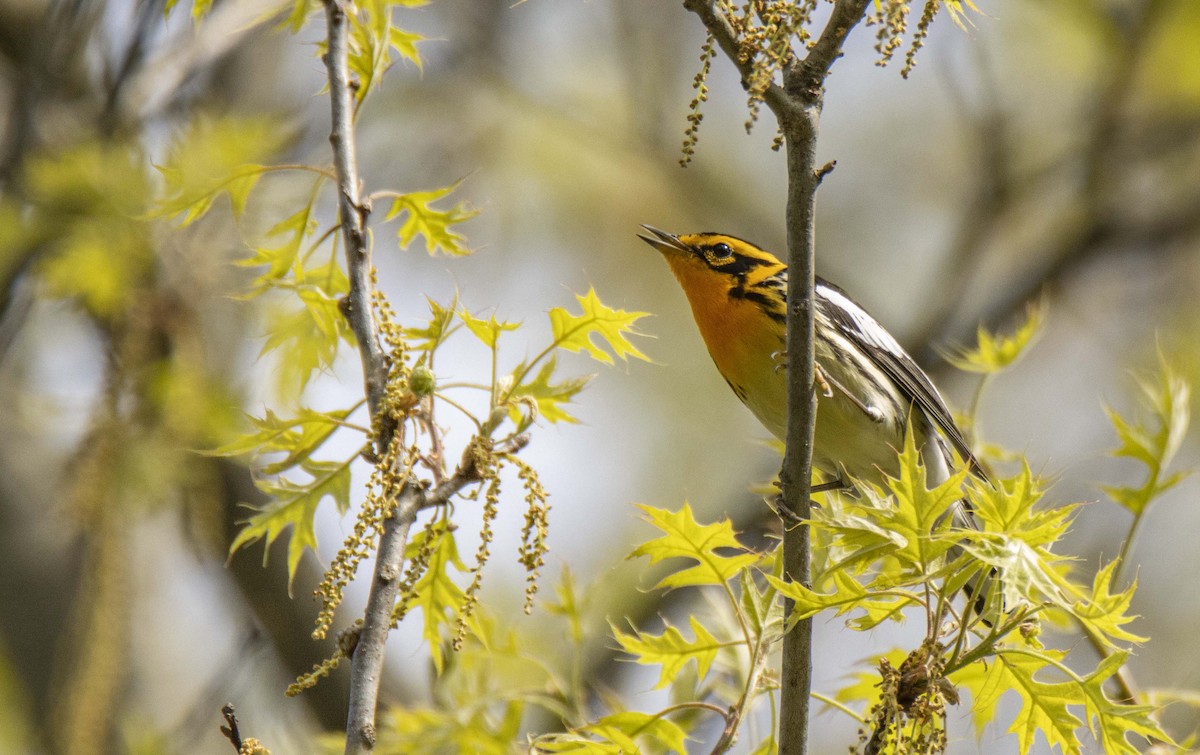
(301,278)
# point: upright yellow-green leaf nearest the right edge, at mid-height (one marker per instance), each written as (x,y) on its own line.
(1155,442)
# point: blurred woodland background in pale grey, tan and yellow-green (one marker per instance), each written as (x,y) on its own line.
(1052,149)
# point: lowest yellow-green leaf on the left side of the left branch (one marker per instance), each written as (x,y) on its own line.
(296,506)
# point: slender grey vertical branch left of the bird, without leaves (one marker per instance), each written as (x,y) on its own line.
(367,661)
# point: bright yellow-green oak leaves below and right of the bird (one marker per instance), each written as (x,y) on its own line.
(893,555)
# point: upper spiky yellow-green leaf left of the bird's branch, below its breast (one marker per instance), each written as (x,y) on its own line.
(685,538)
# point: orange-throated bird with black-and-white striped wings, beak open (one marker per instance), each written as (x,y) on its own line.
(869,388)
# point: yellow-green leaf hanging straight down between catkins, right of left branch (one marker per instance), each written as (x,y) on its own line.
(436,594)
